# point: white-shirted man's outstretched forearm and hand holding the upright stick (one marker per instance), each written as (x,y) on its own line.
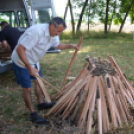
(67,46)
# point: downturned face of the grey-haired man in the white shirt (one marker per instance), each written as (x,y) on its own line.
(55,30)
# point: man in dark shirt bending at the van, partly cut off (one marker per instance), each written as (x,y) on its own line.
(9,36)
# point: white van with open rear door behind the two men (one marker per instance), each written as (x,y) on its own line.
(19,15)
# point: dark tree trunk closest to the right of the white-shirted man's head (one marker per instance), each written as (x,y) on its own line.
(72,19)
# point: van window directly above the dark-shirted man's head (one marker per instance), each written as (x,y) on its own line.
(9,17)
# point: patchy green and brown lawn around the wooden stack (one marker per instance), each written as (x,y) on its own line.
(14,117)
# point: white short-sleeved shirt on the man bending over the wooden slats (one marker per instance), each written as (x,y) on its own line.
(37,41)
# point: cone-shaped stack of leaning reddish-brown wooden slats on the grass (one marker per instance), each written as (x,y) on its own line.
(100,89)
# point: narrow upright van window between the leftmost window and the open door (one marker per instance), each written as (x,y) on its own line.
(22,20)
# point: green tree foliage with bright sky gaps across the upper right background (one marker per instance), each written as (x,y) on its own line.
(107,12)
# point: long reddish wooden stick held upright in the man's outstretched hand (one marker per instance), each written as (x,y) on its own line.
(71,63)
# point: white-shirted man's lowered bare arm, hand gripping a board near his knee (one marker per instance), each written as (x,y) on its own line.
(22,55)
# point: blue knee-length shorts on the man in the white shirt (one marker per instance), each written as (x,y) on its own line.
(22,76)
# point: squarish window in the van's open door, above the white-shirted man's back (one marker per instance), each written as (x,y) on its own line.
(43,15)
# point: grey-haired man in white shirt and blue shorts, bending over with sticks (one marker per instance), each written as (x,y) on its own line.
(33,45)
